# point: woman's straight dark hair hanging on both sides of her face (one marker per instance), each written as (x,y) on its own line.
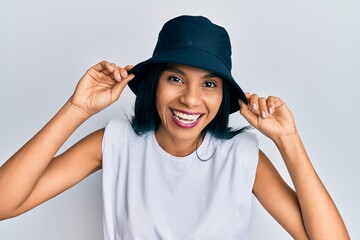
(146,117)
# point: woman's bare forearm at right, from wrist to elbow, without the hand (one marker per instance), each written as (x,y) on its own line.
(320,215)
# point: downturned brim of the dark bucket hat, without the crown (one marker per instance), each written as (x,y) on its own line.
(195,58)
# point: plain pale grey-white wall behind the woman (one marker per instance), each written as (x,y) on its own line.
(306,52)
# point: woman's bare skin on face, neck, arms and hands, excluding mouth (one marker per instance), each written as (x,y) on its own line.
(34,174)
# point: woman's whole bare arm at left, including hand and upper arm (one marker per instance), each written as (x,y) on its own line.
(33,175)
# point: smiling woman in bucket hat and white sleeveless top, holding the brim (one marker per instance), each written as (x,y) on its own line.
(176,171)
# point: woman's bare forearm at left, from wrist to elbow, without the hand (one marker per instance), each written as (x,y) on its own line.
(19,175)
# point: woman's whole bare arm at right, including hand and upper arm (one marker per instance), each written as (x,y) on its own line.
(311,205)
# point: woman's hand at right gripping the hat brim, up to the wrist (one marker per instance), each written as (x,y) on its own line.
(269,115)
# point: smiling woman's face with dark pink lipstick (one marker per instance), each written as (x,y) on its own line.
(187,99)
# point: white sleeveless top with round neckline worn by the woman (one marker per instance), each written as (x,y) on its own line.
(150,194)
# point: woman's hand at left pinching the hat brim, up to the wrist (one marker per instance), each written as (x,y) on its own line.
(100,86)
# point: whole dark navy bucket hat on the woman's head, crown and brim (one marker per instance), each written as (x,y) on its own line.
(194,41)
